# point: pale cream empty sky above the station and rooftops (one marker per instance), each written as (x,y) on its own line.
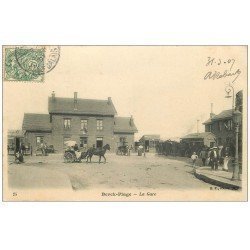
(163,87)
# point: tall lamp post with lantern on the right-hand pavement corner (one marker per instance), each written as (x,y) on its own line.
(237,120)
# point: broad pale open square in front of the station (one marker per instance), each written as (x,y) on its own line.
(132,171)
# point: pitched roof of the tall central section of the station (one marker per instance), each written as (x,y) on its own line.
(84,106)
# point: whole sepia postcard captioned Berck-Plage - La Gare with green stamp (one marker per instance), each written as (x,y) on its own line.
(124,123)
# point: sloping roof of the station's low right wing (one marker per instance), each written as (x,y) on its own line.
(124,125)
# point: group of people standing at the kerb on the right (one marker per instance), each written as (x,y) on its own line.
(213,157)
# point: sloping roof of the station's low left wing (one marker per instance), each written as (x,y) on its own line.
(36,122)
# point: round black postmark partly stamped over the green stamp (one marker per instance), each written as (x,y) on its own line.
(37,60)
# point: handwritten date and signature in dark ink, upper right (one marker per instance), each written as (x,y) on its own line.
(225,69)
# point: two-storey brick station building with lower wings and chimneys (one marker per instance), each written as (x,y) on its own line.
(87,121)
